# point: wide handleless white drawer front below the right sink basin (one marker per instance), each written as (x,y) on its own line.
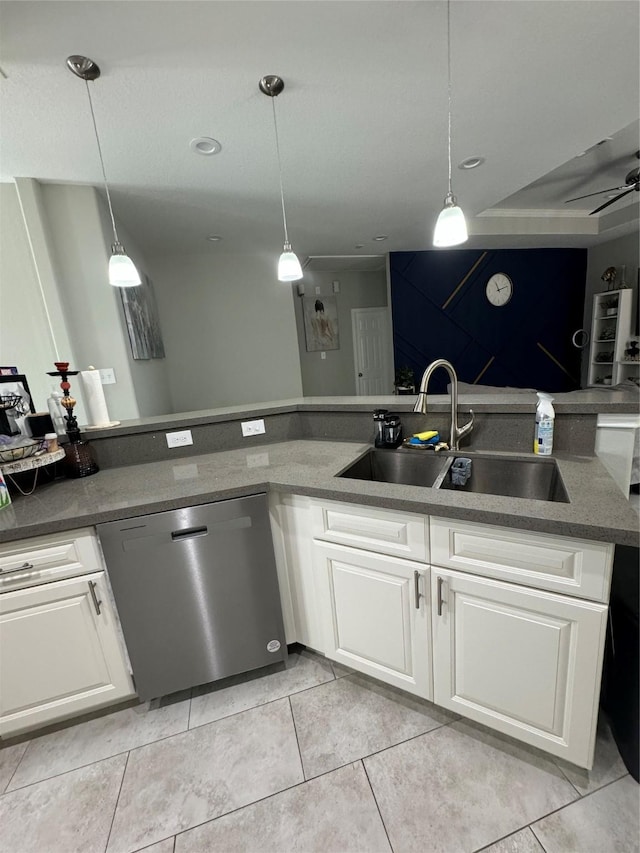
(557,563)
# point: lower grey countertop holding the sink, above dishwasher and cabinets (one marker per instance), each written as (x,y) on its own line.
(597,509)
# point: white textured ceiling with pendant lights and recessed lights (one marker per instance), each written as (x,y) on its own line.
(362,119)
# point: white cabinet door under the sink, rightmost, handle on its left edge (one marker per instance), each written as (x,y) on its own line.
(522,661)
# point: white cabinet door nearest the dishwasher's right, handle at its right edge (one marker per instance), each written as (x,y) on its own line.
(375,613)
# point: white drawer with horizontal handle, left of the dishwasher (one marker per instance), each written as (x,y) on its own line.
(47,558)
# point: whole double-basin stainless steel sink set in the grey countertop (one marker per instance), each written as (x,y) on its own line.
(535,479)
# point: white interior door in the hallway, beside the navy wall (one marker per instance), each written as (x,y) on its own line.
(372,351)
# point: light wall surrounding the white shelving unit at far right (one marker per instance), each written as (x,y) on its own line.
(624,250)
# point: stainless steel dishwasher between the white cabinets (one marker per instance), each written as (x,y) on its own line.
(197,593)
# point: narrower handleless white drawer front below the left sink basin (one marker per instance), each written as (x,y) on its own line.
(398,534)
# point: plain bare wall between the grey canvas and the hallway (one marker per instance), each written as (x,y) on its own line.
(229,329)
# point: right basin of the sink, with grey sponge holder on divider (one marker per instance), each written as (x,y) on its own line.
(536,479)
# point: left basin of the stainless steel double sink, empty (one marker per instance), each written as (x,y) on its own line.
(408,467)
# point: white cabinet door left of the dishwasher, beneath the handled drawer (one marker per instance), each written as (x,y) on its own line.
(58,656)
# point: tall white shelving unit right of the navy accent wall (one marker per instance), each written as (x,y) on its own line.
(610,335)
